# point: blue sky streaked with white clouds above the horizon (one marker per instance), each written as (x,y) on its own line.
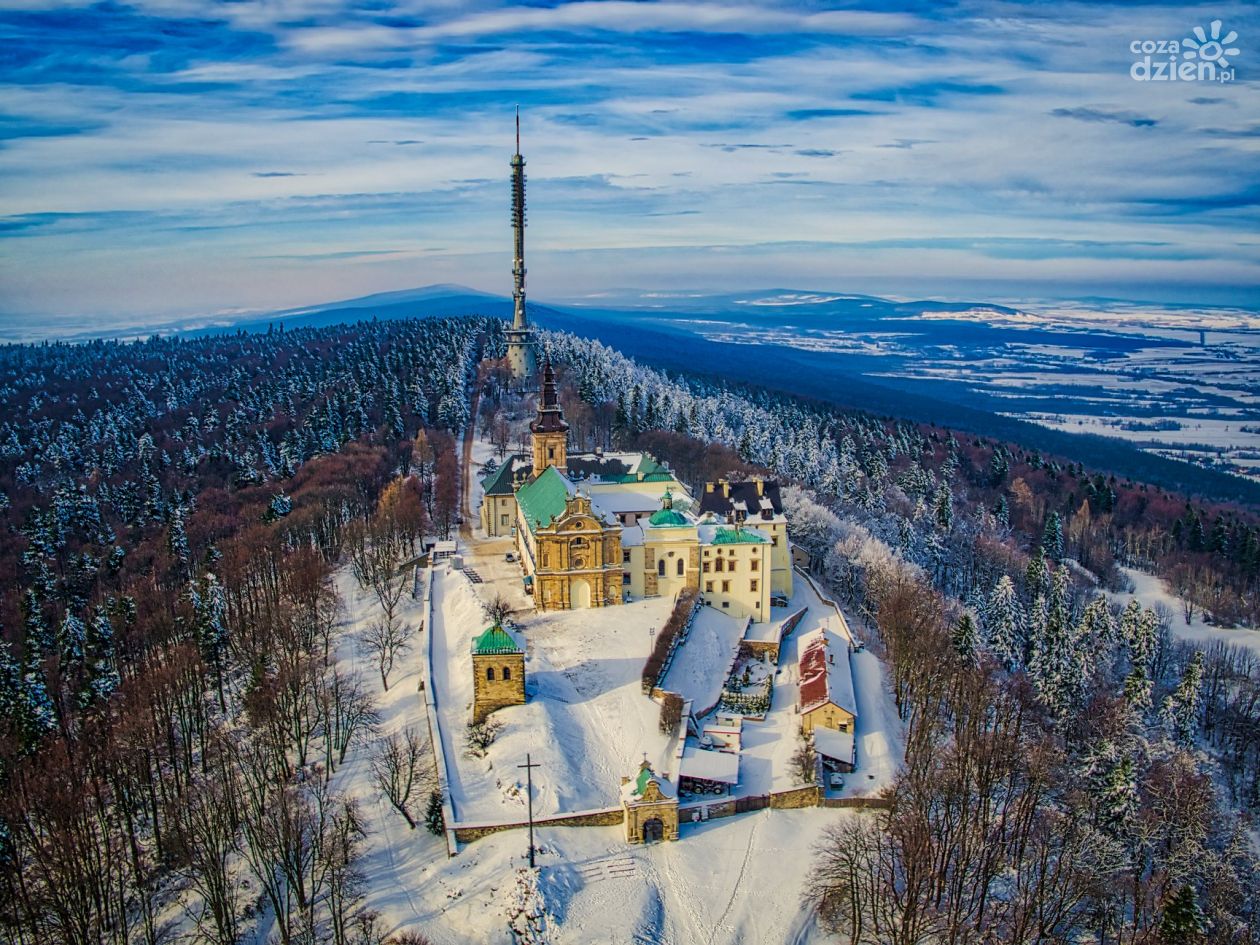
(186,158)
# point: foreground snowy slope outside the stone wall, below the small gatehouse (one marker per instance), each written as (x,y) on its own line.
(709,889)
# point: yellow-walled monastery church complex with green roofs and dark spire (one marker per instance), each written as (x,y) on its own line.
(595,530)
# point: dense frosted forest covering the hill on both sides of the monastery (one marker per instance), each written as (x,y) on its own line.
(175,510)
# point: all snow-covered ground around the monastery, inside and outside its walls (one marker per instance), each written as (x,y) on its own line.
(588,724)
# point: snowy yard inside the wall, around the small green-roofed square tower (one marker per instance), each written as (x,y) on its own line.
(587,721)
